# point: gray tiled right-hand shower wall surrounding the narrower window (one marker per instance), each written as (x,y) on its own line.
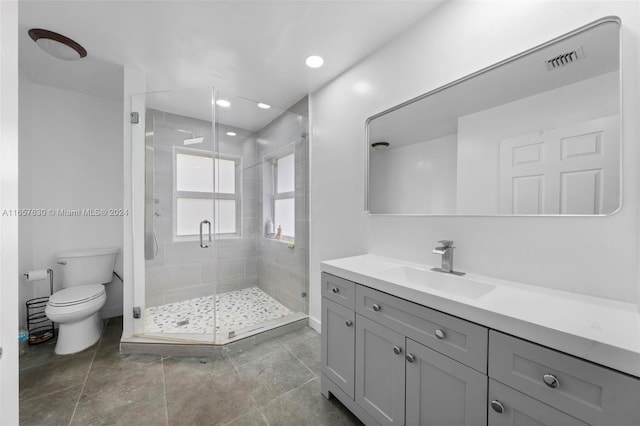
(282,271)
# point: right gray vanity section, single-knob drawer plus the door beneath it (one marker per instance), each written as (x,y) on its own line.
(582,392)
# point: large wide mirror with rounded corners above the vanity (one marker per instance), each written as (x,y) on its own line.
(537,134)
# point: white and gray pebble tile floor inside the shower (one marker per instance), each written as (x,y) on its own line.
(235,310)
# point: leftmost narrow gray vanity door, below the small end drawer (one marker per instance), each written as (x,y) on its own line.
(338,345)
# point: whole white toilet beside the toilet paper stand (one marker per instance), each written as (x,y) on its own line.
(75,307)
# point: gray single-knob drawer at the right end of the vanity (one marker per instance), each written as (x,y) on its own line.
(589,392)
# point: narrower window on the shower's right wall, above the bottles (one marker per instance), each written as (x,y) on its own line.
(284,195)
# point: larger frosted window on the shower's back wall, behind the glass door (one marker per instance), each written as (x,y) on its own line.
(197,196)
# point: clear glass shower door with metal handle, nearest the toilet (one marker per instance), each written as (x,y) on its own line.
(179,212)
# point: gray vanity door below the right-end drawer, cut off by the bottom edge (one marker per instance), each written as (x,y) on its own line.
(512,408)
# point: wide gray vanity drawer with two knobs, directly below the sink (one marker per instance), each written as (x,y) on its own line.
(458,339)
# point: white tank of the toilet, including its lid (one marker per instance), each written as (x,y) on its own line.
(86,266)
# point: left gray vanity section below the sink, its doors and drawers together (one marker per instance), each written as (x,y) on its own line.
(413,365)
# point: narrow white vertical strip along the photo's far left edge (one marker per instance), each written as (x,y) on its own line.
(9,224)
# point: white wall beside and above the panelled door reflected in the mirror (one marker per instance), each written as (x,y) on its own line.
(479,134)
